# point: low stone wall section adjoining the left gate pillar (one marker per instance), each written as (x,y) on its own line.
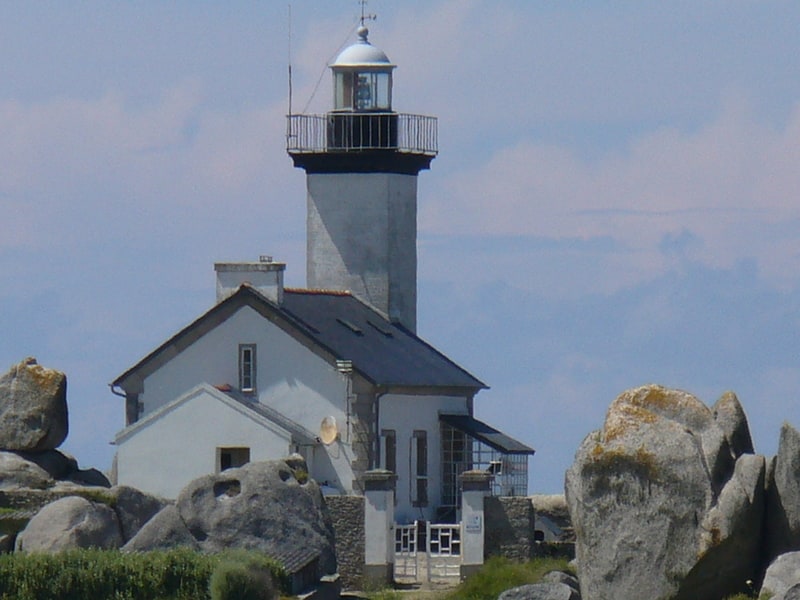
(347,516)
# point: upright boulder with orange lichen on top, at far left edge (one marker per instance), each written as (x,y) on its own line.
(33,407)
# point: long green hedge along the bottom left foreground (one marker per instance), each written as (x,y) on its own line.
(179,574)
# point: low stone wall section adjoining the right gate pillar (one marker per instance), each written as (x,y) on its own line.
(510,524)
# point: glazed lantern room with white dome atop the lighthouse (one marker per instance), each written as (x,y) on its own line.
(362,78)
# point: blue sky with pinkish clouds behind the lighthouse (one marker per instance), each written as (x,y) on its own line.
(615,200)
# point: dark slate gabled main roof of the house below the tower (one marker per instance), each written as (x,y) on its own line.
(336,325)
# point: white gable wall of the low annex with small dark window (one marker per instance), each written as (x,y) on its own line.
(162,456)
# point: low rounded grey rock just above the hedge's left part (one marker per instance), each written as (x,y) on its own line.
(71,522)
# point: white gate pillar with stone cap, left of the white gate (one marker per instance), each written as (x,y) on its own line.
(379,526)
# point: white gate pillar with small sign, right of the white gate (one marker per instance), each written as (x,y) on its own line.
(475,486)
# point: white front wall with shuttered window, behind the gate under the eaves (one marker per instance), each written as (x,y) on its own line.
(404,414)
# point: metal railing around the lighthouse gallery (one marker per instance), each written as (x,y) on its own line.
(352,132)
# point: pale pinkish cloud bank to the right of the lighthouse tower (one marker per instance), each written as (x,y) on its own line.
(717,190)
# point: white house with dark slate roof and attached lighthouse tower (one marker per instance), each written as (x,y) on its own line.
(335,372)
